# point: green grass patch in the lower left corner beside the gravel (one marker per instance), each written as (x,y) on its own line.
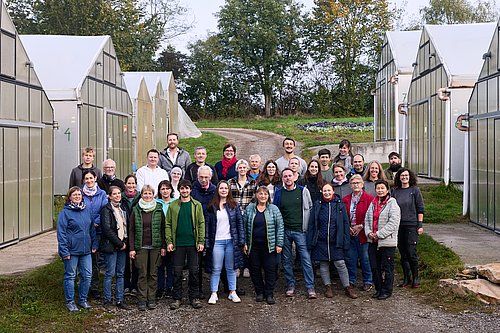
(34,302)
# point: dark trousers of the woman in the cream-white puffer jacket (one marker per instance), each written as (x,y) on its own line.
(382,265)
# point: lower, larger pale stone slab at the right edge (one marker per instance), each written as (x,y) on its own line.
(484,290)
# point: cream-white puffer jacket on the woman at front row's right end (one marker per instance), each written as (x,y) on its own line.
(388,223)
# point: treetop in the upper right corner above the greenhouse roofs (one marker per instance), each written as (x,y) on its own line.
(458,11)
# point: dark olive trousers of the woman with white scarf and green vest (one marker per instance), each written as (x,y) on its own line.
(147,262)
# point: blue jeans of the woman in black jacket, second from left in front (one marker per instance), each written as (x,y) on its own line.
(115,265)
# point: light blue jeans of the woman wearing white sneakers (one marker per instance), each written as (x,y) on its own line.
(223,254)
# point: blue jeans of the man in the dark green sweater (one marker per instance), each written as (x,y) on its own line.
(301,247)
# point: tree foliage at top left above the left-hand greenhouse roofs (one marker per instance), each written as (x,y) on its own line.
(137,27)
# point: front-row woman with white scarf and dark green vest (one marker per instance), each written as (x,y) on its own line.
(147,245)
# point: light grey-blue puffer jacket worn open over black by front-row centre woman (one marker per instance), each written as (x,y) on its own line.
(274,226)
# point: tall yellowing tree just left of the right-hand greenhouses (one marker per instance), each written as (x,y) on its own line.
(347,35)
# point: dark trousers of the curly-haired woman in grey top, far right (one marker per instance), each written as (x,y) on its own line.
(407,246)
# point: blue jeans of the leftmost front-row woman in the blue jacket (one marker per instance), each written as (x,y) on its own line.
(84,265)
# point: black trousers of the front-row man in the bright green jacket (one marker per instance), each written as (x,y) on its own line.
(179,257)
